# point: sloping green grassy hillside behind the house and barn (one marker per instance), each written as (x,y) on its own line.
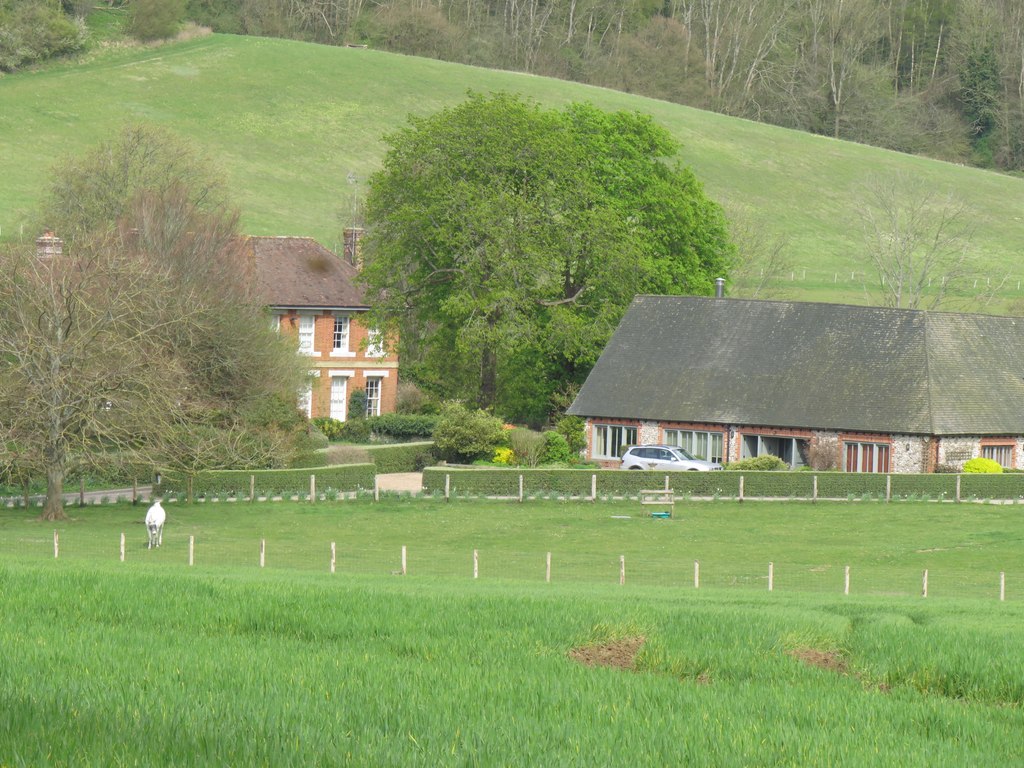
(290,122)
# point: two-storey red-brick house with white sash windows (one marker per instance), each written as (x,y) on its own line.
(313,294)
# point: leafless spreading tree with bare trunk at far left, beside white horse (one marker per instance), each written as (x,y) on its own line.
(81,364)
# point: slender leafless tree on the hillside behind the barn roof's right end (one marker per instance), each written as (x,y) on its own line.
(916,238)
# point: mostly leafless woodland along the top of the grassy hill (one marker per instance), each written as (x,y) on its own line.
(944,78)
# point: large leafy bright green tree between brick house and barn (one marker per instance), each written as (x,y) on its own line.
(505,241)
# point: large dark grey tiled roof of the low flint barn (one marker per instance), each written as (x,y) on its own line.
(810,366)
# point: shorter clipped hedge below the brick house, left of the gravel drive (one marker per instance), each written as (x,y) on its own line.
(345,478)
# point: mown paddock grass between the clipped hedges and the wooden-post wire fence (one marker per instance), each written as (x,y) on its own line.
(887,546)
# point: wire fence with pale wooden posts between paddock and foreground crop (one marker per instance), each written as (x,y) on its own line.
(677,571)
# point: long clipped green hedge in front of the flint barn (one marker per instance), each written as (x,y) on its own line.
(614,483)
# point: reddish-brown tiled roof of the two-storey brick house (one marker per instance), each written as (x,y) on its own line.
(301,273)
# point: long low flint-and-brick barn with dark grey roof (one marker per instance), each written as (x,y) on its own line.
(862,390)
